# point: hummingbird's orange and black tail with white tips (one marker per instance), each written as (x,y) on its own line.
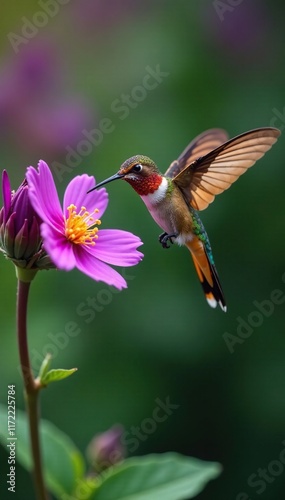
(207,274)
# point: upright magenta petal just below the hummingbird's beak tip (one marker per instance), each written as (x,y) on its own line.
(76,194)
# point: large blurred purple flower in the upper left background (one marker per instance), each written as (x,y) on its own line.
(34,108)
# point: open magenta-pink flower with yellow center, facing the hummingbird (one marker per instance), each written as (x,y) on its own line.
(71,235)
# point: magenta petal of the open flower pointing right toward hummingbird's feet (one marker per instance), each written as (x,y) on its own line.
(117,247)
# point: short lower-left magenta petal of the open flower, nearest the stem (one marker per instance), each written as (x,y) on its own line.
(59,249)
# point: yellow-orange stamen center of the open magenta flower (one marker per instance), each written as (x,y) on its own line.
(79,227)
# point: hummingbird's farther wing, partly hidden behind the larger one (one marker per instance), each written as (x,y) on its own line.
(200,146)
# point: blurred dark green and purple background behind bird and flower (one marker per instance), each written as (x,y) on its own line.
(223,65)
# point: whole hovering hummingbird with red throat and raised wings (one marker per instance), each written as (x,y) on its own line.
(207,167)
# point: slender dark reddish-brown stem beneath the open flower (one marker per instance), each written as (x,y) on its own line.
(31,388)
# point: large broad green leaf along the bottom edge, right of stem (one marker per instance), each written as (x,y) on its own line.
(169,476)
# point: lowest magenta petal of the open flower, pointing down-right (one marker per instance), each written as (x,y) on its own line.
(97,270)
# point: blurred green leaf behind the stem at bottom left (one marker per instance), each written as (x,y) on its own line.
(63,463)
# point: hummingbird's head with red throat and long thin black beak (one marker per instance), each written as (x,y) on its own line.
(140,172)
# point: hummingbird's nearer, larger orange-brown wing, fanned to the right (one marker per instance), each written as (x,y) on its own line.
(215,172)
